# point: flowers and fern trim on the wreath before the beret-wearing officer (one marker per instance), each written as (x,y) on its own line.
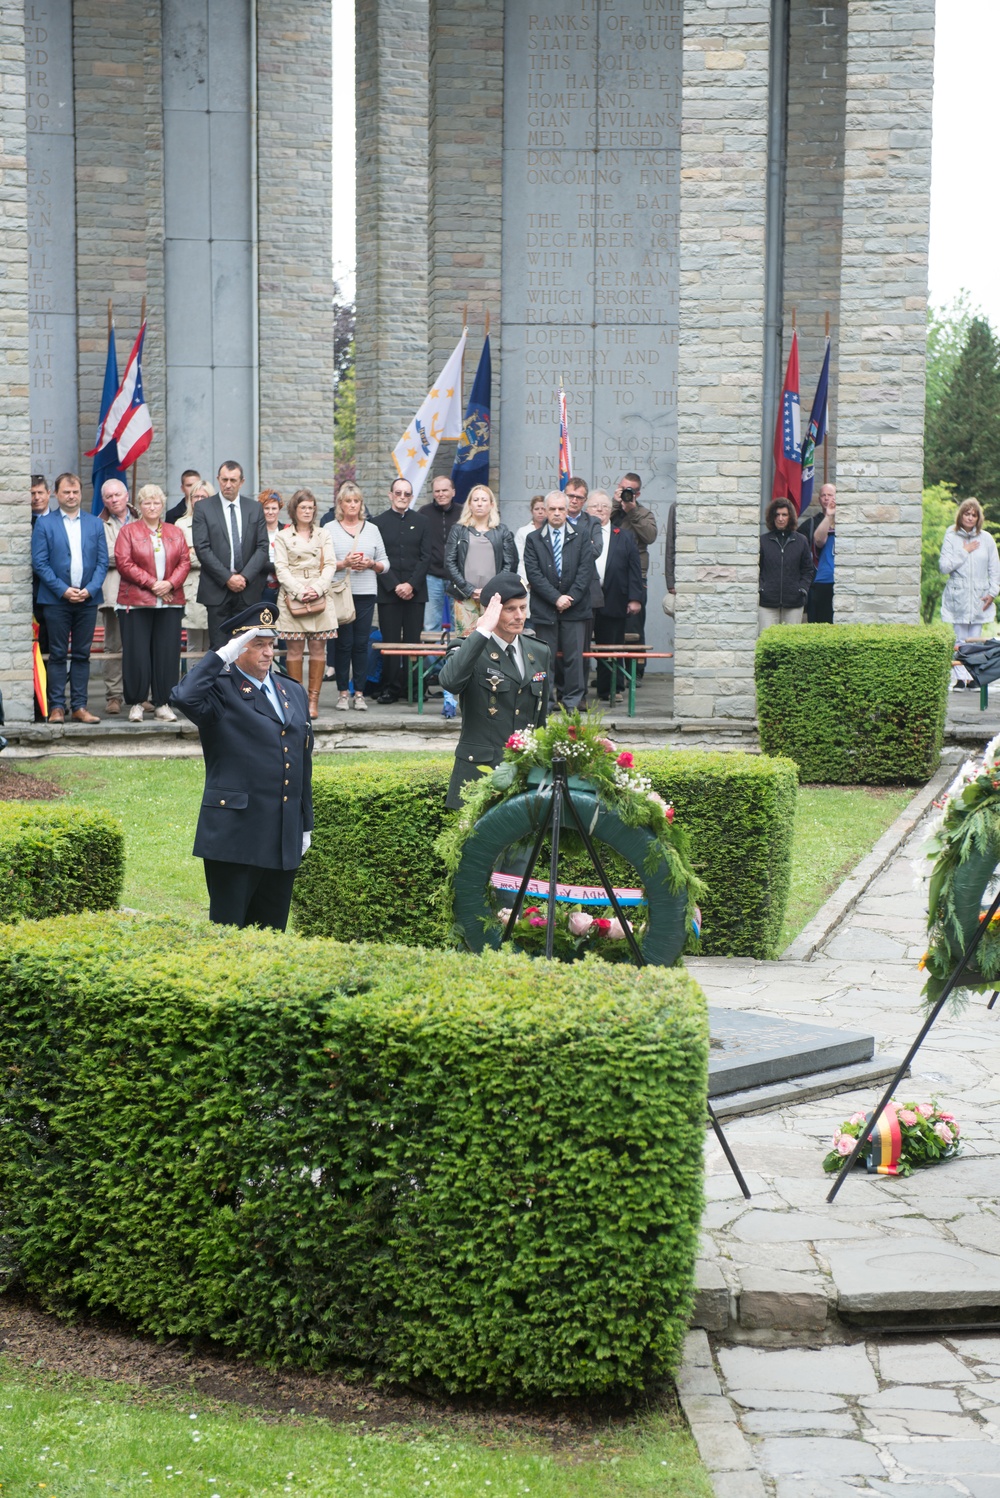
(591,756)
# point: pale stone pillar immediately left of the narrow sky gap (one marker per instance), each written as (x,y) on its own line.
(294,278)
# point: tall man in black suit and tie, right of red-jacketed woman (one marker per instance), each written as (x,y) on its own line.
(231,540)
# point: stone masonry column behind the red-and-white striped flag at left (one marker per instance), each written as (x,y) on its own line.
(121,207)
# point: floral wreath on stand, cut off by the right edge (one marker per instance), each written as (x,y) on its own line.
(965,846)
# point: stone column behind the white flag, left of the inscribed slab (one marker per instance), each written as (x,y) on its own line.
(466,136)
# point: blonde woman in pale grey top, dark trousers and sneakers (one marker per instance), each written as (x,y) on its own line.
(362,558)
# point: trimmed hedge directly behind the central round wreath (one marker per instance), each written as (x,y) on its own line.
(372,873)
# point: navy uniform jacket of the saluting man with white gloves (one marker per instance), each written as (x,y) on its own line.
(258,771)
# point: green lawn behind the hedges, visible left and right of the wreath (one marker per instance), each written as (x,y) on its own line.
(158,802)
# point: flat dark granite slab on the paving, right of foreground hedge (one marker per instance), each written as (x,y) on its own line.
(754,1051)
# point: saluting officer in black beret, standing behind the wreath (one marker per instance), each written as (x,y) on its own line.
(502,679)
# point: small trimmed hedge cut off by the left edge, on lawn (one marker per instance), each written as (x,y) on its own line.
(59,859)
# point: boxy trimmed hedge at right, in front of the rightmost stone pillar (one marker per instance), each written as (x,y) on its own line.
(856,705)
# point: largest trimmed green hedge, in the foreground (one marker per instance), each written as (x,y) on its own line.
(474,1174)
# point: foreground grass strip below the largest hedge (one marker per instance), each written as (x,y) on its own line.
(67,1439)
